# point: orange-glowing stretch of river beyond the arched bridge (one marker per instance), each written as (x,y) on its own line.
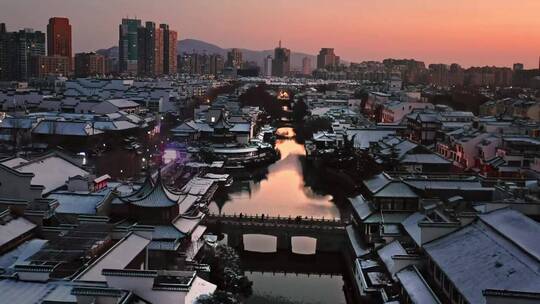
(283,189)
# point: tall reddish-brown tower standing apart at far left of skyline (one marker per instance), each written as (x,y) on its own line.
(59,37)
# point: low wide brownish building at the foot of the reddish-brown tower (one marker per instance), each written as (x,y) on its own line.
(41,66)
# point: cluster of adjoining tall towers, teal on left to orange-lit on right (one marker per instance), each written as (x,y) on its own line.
(148,50)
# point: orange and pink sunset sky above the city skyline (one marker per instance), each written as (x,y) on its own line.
(470,32)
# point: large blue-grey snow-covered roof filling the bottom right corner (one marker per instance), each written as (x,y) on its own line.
(497,251)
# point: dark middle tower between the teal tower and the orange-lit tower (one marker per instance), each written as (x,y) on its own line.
(150,50)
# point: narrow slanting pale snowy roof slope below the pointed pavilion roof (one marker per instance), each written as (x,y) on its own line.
(118,257)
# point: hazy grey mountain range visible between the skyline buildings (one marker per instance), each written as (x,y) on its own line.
(201,47)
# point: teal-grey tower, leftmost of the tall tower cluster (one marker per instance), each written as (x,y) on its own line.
(127,46)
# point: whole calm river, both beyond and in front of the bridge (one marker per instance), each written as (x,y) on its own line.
(286,188)
